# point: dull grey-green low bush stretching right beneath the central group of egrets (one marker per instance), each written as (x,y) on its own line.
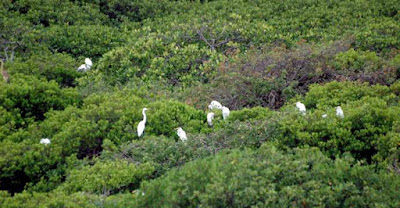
(166,154)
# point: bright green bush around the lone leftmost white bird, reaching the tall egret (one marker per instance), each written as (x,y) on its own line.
(73,132)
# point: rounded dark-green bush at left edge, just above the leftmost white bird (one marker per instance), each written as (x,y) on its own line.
(28,98)
